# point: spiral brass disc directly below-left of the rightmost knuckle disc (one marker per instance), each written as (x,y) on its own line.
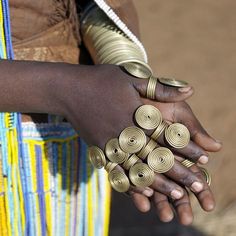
(161,160)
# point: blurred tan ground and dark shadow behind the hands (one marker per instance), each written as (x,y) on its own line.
(194,41)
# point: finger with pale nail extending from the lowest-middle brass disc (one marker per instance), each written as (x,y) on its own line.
(165,186)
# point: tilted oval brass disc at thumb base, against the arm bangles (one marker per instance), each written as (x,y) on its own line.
(137,70)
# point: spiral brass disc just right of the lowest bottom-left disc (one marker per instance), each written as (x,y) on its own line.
(141,175)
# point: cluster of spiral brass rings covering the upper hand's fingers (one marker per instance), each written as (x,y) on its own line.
(134,159)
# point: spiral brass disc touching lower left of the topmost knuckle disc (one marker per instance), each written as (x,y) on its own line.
(132,139)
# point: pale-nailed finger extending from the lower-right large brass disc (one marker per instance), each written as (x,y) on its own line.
(185,177)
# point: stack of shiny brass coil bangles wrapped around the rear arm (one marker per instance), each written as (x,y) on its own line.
(109,45)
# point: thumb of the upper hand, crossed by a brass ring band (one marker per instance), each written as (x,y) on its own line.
(164,93)
